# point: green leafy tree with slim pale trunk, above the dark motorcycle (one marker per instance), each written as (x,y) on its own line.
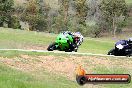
(113,13)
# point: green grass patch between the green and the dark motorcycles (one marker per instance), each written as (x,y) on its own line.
(95,46)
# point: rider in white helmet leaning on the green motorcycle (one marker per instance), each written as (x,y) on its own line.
(74,35)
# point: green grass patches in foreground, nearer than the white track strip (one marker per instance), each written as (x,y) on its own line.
(11,78)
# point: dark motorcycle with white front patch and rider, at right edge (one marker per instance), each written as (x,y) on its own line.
(122,48)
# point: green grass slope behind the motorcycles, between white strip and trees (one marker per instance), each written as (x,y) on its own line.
(12,38)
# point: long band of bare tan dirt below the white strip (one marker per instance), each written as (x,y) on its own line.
(63,65)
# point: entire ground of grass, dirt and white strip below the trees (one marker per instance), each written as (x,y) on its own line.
(25,62)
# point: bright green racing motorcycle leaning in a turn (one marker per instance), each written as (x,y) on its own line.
(62,43)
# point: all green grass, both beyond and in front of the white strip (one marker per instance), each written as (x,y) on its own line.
(11,78)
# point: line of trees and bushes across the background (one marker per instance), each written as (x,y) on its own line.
(90,17)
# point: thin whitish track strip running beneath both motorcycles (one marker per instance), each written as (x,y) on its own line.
(62,52)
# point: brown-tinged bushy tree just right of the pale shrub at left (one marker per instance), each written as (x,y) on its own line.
(36,14)
